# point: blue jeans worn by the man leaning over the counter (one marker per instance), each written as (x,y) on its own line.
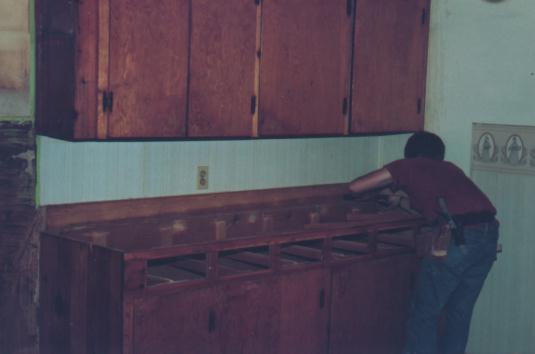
(452,285)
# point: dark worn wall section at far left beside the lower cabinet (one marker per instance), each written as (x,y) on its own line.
(20,223)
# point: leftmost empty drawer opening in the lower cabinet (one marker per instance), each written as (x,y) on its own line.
(176,269)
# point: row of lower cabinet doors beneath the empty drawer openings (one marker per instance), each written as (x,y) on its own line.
(355,308)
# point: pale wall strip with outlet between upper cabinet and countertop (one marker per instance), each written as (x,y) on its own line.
(95,171)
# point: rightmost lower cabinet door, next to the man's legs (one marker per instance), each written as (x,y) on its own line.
(369,305)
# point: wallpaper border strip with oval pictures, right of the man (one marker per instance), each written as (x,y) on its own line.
(503,148)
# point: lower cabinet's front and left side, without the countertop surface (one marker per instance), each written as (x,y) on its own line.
(317,295)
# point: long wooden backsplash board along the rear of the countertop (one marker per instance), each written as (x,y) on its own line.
(69,214)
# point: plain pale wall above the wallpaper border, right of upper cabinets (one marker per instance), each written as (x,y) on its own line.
(481,69)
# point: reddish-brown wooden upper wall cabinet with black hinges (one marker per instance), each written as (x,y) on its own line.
(77,77)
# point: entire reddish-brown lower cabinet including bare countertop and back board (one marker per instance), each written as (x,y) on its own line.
(231,280)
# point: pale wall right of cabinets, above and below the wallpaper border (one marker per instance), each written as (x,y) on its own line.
(481,69)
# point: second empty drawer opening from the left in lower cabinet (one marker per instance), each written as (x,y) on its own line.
(246,260)
